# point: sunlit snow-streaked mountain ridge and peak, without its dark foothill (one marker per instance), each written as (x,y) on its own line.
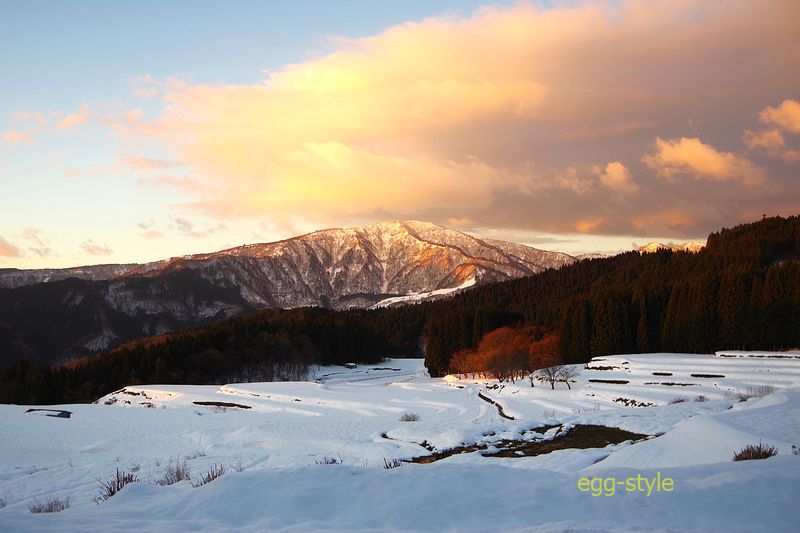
(339,268)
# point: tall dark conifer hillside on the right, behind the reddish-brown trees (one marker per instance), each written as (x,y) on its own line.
(742,290)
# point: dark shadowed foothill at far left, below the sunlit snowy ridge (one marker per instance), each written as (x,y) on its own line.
(60,320)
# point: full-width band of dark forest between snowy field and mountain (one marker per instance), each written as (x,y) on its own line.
(741,291)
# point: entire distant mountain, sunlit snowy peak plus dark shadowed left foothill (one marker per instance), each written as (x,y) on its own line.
(55,315)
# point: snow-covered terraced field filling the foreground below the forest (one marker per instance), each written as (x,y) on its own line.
(274,440)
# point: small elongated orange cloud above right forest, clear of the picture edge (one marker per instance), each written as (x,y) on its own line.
(691,157)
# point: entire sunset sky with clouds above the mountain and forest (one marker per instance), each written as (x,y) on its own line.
(136,131)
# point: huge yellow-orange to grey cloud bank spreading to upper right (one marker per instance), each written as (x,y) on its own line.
(452,116)
